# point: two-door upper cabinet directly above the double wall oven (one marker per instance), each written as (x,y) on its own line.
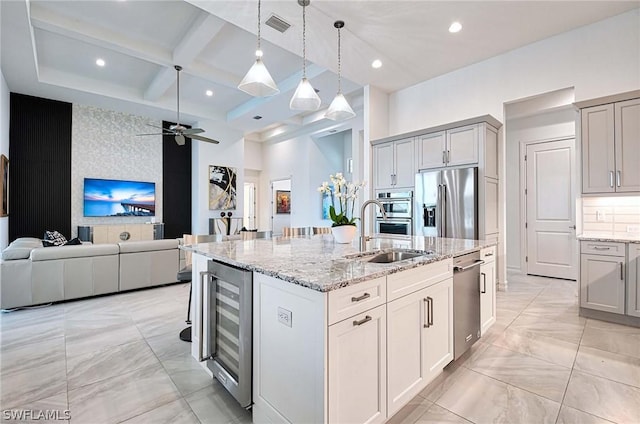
(393,164)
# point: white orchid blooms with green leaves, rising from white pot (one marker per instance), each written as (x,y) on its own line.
(346,194)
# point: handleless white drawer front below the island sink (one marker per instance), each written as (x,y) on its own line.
(405,282)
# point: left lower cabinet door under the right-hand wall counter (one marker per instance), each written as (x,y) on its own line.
(602,283)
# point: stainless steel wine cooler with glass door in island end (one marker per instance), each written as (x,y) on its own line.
(225,338)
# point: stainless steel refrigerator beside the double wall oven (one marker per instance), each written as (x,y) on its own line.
(446,203)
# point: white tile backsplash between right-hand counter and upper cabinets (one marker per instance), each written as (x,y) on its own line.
(615,215)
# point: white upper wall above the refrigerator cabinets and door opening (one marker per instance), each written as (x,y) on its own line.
(598,60)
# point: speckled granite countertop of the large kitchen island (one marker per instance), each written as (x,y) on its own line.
(317,262)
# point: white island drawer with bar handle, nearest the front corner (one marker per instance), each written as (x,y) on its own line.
(349,301)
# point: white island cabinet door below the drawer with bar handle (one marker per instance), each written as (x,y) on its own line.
(358,368)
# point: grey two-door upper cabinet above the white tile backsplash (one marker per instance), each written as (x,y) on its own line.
(611,147)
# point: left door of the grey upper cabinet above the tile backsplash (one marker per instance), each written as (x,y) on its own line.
(598,160)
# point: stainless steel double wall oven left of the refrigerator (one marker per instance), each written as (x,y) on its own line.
(398,206)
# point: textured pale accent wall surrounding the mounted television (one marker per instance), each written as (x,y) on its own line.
(104,145)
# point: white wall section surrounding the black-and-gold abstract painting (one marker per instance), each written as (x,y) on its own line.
(230,153)
